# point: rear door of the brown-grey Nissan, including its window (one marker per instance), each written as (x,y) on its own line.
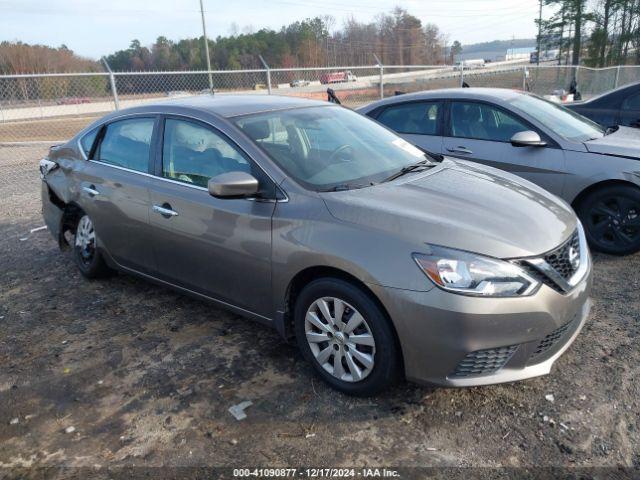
(113,188)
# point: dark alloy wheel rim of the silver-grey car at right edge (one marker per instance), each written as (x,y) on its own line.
(615,221)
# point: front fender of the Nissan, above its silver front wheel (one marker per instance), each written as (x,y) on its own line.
(306,235)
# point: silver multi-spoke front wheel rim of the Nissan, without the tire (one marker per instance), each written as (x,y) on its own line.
(340,339)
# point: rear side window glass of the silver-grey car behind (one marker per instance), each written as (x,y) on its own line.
(417,117)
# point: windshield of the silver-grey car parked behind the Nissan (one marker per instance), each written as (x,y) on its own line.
(557,118)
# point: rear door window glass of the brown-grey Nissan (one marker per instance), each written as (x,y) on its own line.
(127,143)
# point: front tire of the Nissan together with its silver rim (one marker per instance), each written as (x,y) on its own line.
(353,356)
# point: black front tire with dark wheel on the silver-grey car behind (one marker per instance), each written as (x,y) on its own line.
(611,218)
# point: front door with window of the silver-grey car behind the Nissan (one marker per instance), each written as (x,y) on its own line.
(481,132)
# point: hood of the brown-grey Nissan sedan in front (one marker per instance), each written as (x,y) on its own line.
(461,205)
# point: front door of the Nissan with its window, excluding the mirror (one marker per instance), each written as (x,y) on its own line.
(218,247)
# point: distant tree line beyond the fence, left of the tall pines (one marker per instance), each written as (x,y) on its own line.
(397,38)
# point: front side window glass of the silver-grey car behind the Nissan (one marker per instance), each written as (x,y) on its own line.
(483,122)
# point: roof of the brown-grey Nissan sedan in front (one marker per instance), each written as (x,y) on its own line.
(227,105)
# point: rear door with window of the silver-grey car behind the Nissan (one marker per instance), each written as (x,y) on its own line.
(418,122)
